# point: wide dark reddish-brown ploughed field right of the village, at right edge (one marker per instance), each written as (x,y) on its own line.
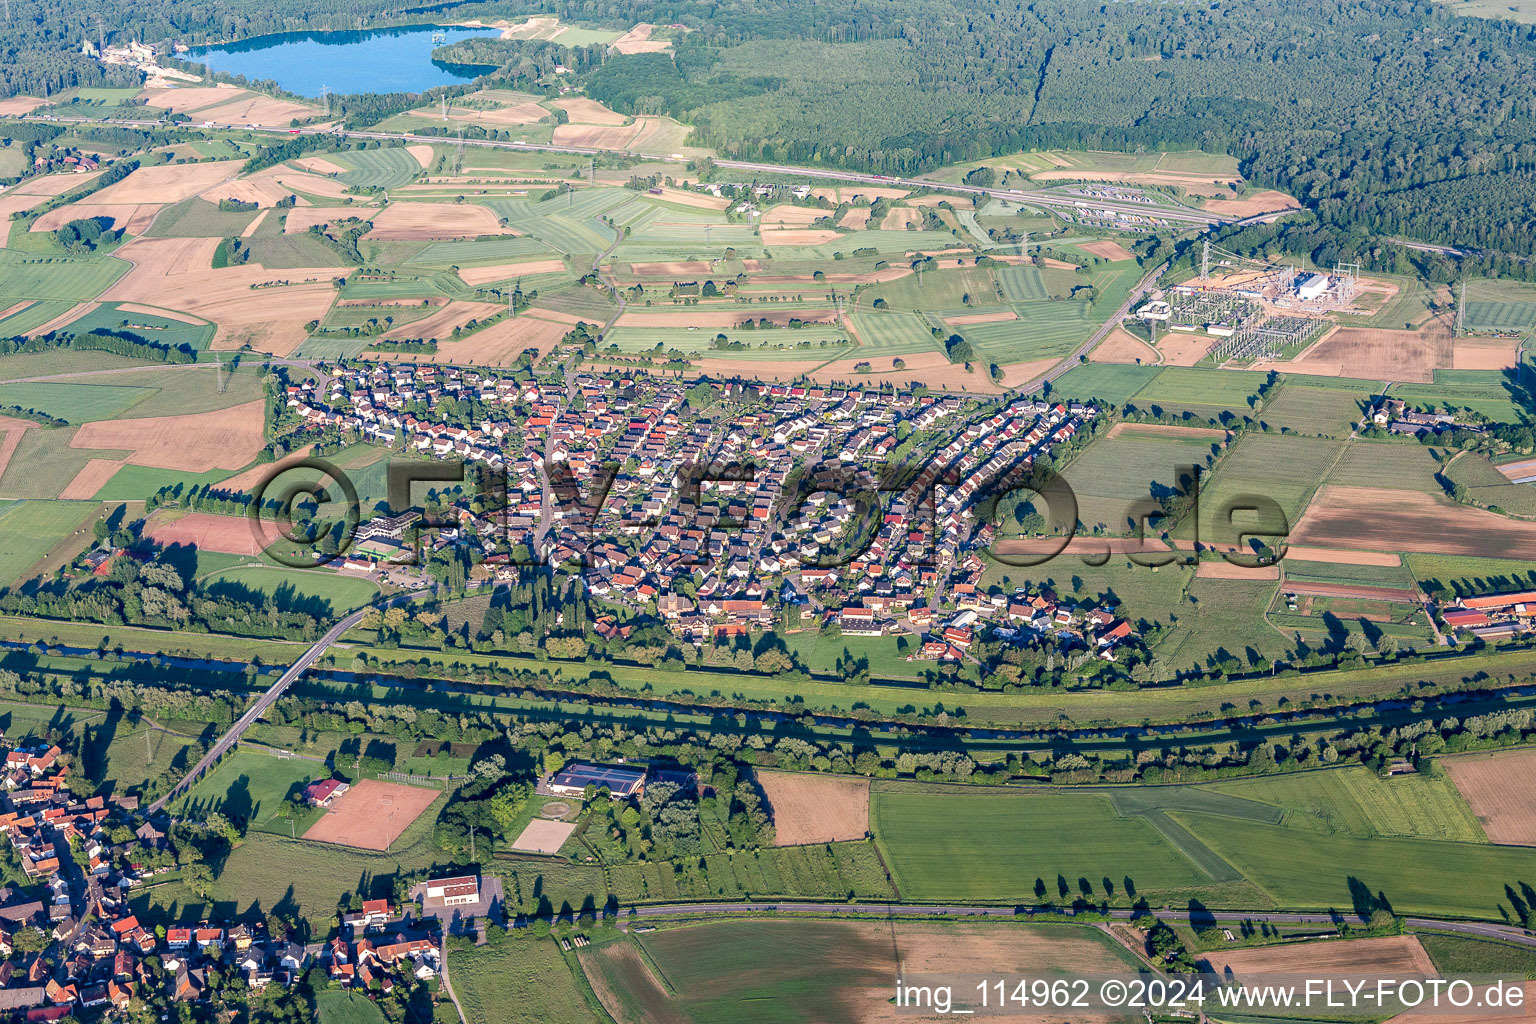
(1385,520)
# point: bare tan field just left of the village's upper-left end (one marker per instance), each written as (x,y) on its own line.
(199,443)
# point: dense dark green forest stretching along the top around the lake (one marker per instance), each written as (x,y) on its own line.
(1386,117)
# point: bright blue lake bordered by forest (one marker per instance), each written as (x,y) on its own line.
(376,61)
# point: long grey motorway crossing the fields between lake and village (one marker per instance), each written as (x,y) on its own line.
(1034,197)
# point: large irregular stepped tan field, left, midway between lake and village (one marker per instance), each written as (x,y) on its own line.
(253,306)
